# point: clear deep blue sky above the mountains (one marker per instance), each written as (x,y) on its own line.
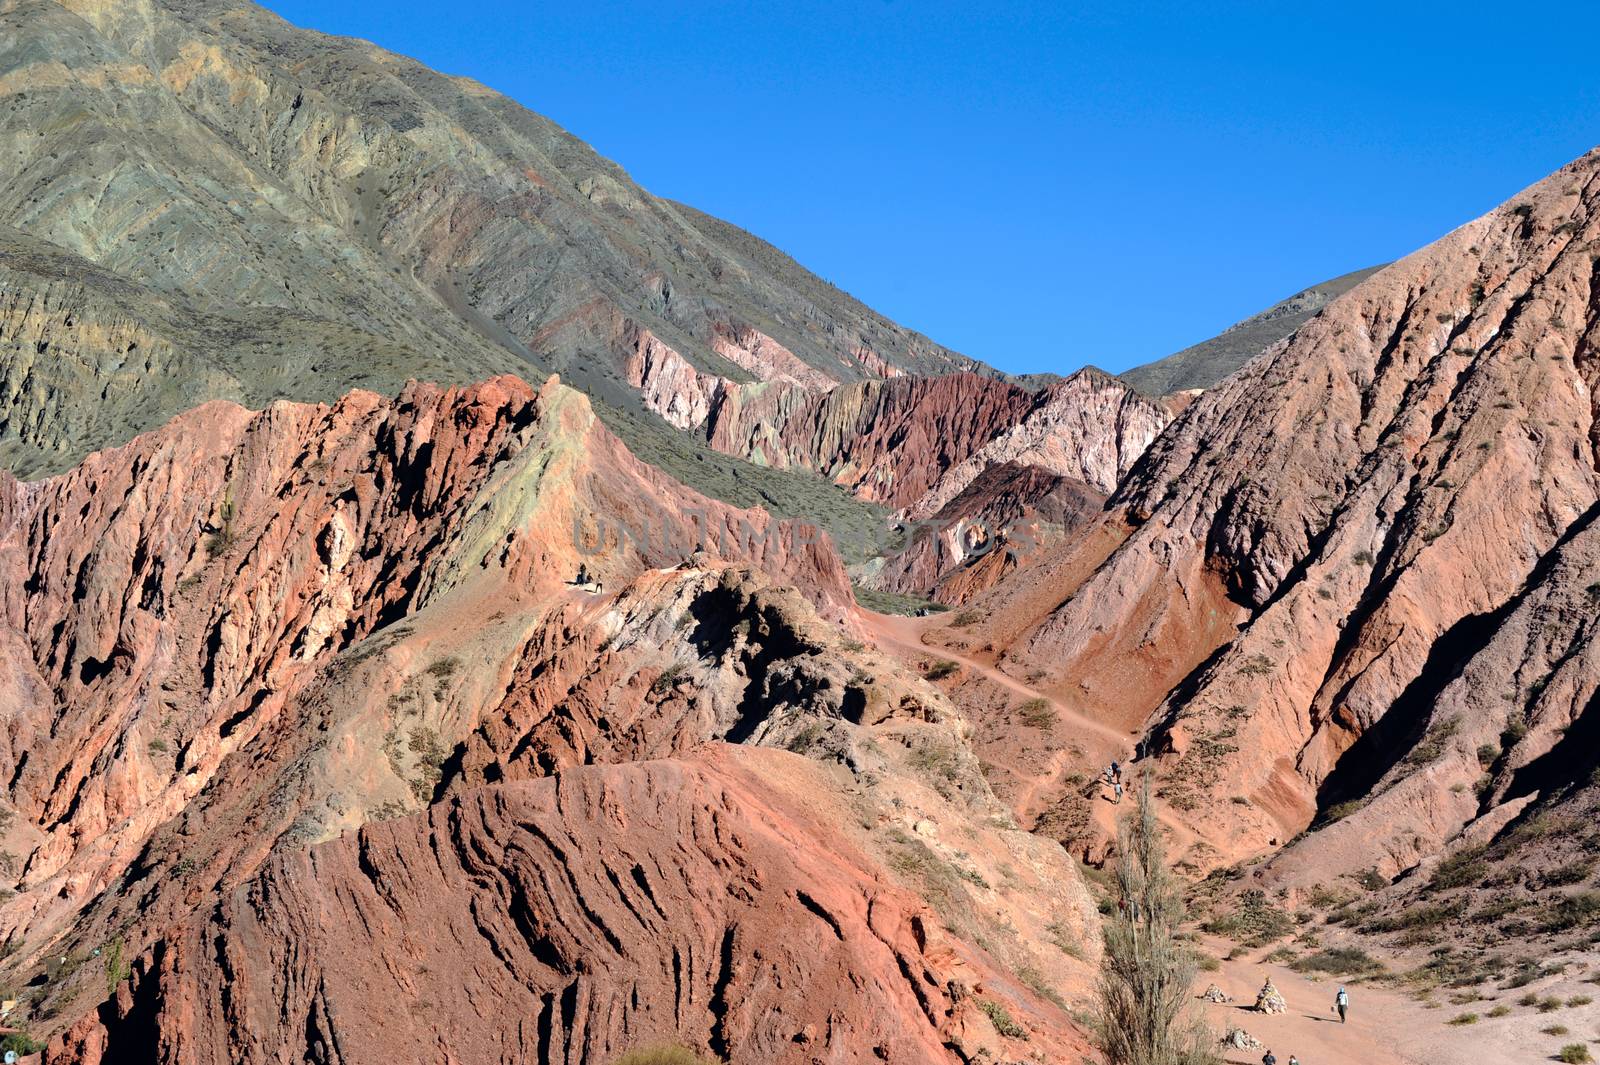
(1046,186)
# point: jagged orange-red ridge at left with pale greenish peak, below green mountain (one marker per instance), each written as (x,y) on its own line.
(172,597)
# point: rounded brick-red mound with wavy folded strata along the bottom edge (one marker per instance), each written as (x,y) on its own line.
(575,919)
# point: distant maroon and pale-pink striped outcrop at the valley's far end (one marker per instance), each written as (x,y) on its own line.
(970,461)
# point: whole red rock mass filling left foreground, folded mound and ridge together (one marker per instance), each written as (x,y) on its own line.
(271,629)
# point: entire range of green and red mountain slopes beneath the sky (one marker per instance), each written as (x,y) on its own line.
(460,605)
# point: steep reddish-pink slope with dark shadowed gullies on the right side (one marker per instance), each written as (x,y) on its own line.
(1310,581)
